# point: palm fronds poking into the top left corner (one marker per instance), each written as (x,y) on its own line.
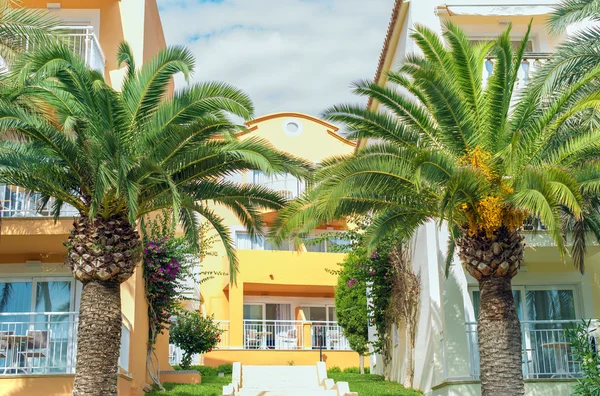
(24,27)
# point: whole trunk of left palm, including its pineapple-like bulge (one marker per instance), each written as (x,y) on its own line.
(102,254)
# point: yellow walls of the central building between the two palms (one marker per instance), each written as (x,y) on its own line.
(274,273)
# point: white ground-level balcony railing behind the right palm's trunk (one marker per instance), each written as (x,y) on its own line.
(546,349)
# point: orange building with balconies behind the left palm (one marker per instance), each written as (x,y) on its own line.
(37,290)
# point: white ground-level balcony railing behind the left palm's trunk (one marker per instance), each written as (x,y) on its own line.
(34,343)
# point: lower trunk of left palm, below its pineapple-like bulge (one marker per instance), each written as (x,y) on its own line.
(98,339)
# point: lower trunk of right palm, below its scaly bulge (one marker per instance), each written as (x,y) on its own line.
(499,333)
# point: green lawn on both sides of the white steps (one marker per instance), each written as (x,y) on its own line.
(365,385)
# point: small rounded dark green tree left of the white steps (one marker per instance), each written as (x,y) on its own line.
(194,334)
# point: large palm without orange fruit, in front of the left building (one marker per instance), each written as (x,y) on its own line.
(119,156)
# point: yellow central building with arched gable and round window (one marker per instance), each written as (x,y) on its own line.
(281,310)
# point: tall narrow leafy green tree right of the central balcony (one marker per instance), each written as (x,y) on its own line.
(351,303)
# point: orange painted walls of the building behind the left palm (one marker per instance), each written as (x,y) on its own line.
(137,22)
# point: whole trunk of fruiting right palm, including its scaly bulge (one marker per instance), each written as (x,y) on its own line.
(494,260)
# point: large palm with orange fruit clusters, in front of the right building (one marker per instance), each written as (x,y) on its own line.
(454,148)
